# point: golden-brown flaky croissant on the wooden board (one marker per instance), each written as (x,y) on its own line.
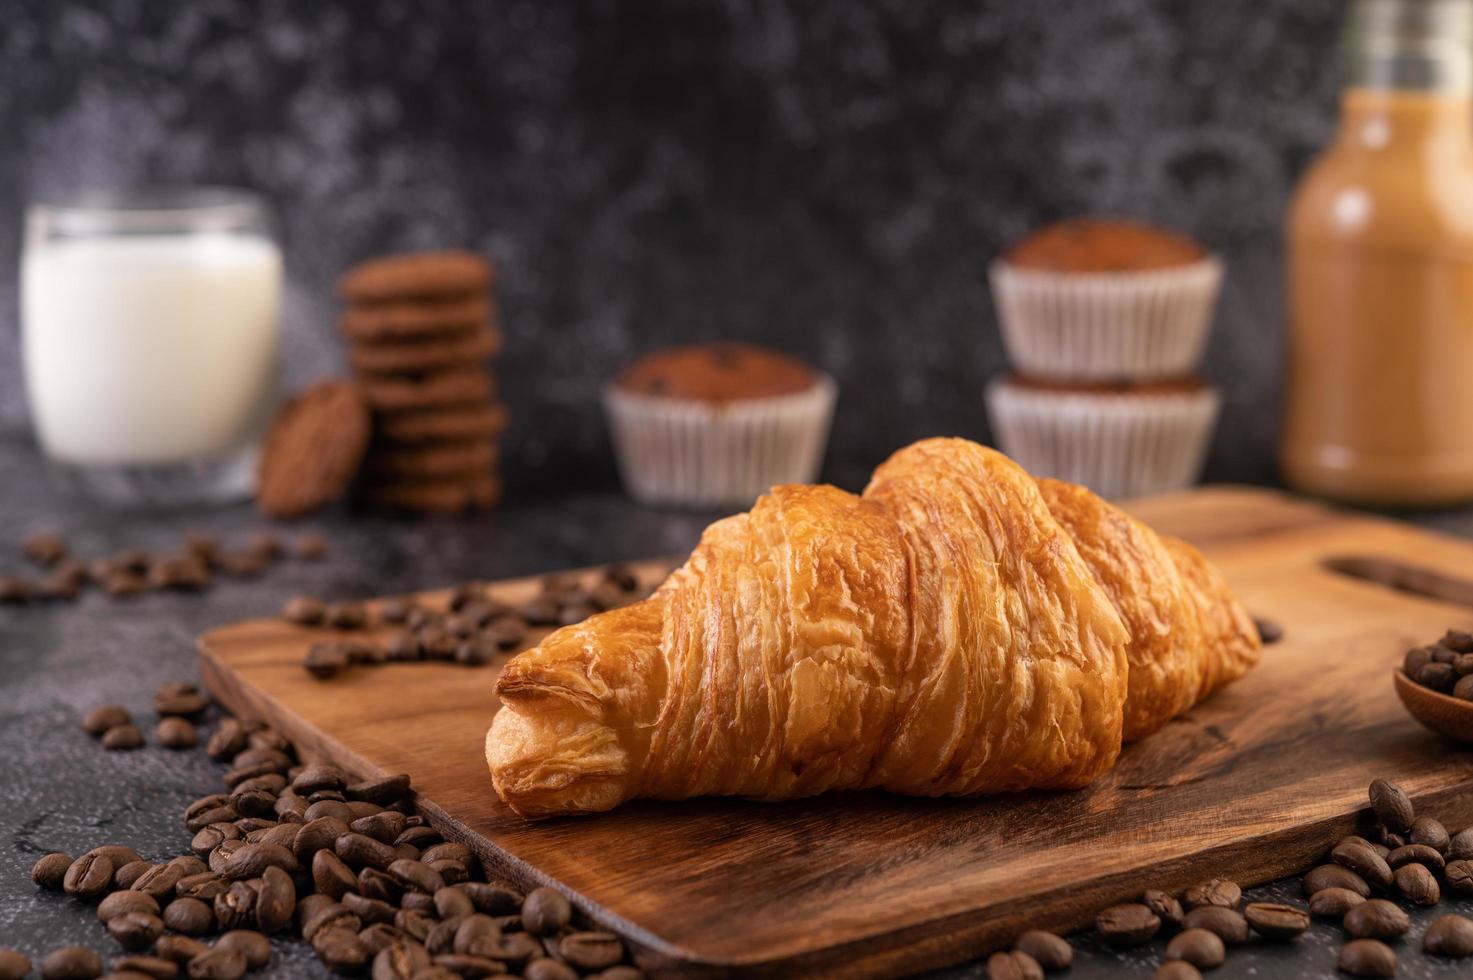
(960,629)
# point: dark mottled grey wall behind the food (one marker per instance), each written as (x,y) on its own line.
(829,176)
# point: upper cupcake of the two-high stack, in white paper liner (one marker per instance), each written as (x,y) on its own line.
(1104,300)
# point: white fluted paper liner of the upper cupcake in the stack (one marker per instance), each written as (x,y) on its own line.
(1107,326)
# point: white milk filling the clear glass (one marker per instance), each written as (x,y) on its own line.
(150,349)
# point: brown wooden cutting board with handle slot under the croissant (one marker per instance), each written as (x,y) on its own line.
(1253,785)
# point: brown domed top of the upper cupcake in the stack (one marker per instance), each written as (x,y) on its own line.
(1104,245)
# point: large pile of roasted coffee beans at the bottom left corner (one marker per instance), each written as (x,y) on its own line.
(297,847)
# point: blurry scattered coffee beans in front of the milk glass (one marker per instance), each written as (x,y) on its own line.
(195,567)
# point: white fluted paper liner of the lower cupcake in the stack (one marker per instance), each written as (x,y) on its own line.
(1117,444)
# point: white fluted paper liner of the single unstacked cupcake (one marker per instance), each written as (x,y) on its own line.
(699,455)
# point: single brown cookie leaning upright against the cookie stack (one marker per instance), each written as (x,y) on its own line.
(313,450)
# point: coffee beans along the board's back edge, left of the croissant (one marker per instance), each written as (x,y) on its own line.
(472,631)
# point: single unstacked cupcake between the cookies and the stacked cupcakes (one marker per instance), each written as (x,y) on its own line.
(717,425)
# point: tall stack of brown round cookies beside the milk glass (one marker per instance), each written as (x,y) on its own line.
(421,331)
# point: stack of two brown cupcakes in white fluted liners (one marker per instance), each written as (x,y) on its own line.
(1105,323)
